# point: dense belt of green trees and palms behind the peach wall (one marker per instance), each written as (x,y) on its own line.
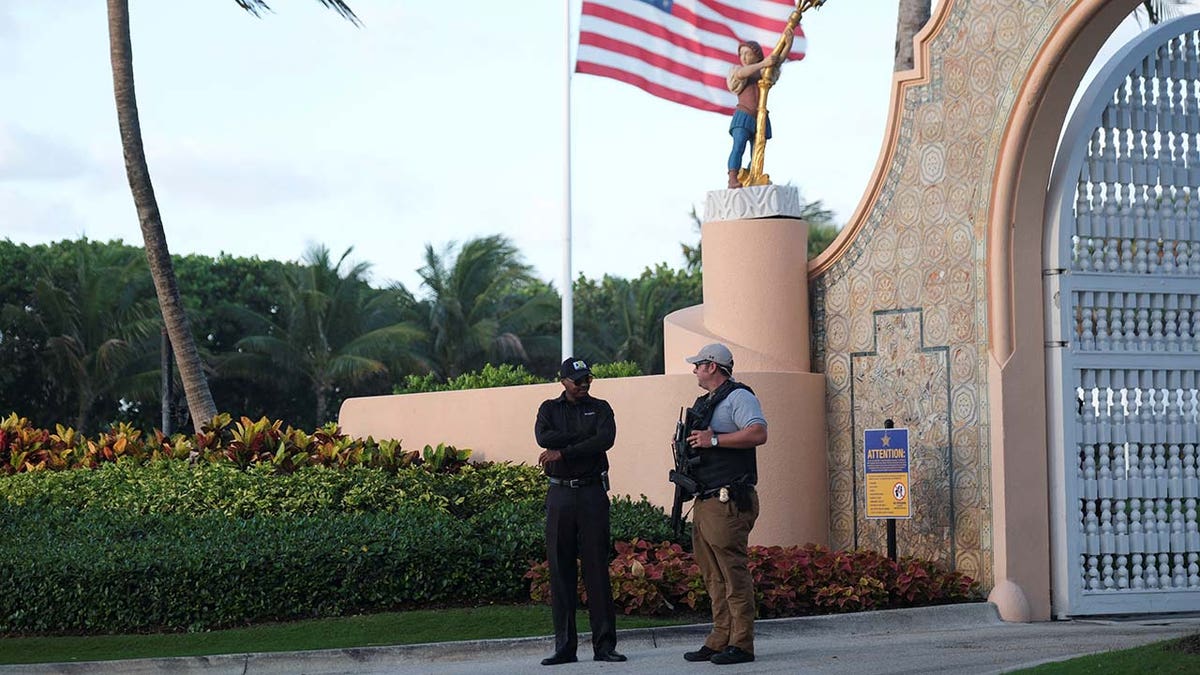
(292,341)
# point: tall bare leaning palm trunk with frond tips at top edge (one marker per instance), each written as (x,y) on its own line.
(200,398)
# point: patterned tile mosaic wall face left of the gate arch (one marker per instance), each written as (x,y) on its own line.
(914,280)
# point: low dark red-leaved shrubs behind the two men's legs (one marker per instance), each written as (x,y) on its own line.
(651,580)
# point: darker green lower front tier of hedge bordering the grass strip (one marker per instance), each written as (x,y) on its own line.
(106,572)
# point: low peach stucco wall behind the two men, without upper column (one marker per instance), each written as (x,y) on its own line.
(497,425)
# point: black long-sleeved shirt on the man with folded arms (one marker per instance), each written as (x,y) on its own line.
(583,432)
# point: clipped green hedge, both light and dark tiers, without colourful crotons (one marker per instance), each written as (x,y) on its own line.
(176,547)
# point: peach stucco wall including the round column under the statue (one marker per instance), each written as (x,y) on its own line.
(759,286)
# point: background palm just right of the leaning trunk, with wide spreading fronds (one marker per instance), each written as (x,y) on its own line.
(329,331)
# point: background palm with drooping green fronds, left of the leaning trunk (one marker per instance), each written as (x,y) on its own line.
(97,322)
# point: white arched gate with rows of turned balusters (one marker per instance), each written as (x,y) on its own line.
(1123,280)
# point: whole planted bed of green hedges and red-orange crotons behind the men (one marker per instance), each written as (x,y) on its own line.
(251,522)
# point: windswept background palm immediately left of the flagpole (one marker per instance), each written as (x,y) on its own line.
(483,307)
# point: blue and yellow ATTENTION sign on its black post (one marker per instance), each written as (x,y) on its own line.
(886,469)
